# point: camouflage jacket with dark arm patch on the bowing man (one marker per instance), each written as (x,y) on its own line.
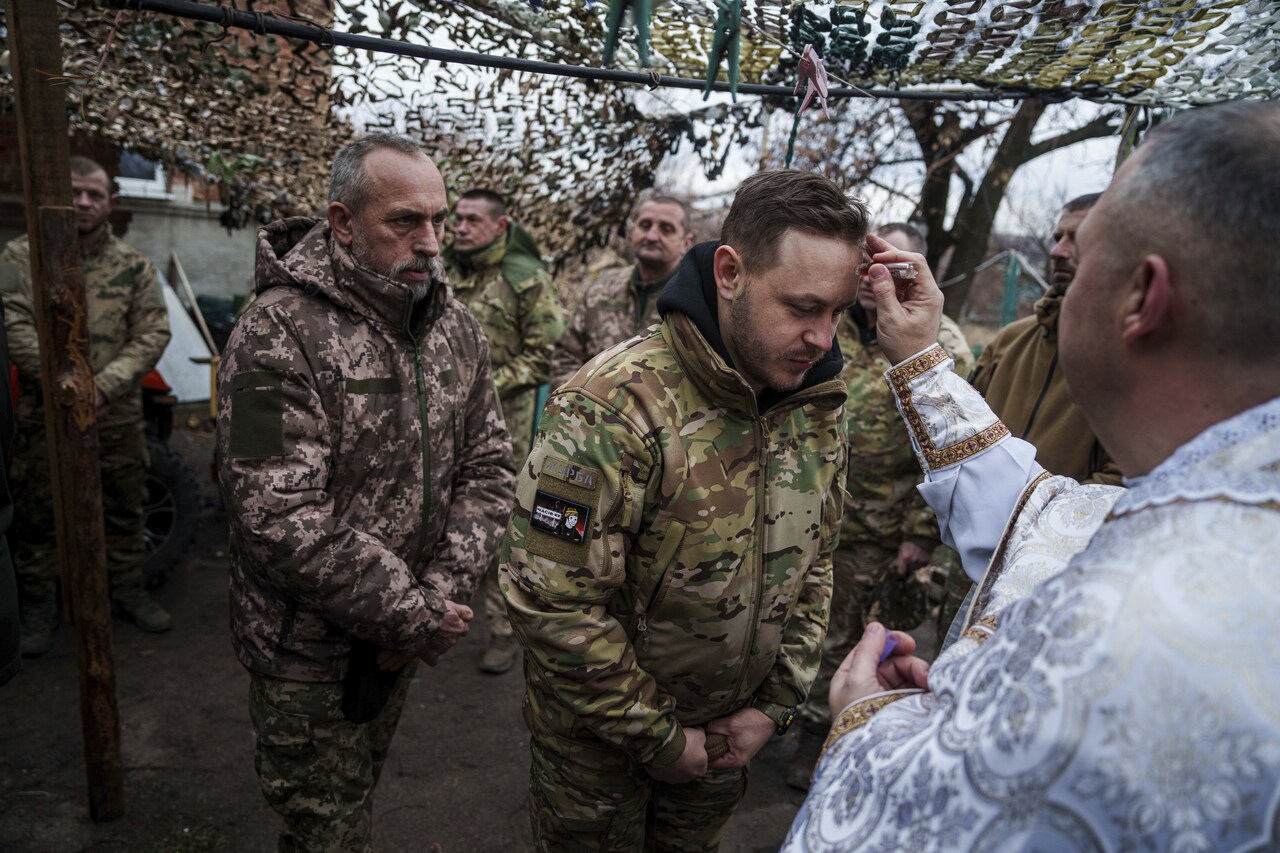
(670,555)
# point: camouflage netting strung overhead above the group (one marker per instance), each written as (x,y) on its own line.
(264,116)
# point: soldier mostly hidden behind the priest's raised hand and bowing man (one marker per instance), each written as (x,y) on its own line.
(888,532)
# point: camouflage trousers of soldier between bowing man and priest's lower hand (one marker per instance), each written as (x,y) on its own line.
(860,572)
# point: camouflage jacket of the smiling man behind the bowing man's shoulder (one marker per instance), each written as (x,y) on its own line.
(612,309)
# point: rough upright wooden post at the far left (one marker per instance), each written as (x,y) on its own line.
(67,380)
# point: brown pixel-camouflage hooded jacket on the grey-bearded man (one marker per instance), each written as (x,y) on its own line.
(364,464)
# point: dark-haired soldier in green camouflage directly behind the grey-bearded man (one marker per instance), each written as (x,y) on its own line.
(497,272)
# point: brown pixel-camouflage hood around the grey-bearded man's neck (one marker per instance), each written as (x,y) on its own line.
(300,252)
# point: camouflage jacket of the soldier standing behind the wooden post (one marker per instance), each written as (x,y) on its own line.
(129,326)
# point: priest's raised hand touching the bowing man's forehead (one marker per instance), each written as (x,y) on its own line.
(908,312)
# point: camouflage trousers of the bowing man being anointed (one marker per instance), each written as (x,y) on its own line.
(587,797)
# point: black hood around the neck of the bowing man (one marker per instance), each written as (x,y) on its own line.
(692,291)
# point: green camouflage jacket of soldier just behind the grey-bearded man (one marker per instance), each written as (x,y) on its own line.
(508,290)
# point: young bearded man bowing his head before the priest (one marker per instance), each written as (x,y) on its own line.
(669,563)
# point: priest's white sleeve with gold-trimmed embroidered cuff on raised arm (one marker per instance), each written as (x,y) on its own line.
(975,471)
